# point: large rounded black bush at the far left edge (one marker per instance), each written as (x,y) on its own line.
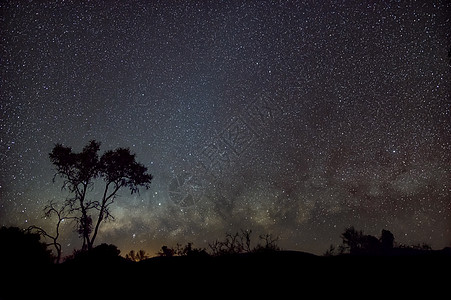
(20,247)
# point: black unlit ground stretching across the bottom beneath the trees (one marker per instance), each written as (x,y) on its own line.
(275,274)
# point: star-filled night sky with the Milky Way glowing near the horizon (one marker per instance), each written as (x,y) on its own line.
(294,118)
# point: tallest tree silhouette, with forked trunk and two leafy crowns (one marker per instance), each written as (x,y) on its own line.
(79,171)
